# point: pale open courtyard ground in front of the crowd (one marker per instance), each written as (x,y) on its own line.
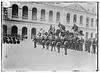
(24,57)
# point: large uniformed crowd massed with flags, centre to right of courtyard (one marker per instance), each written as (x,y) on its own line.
(61,38)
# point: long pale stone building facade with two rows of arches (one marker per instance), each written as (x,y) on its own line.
(28,18)
